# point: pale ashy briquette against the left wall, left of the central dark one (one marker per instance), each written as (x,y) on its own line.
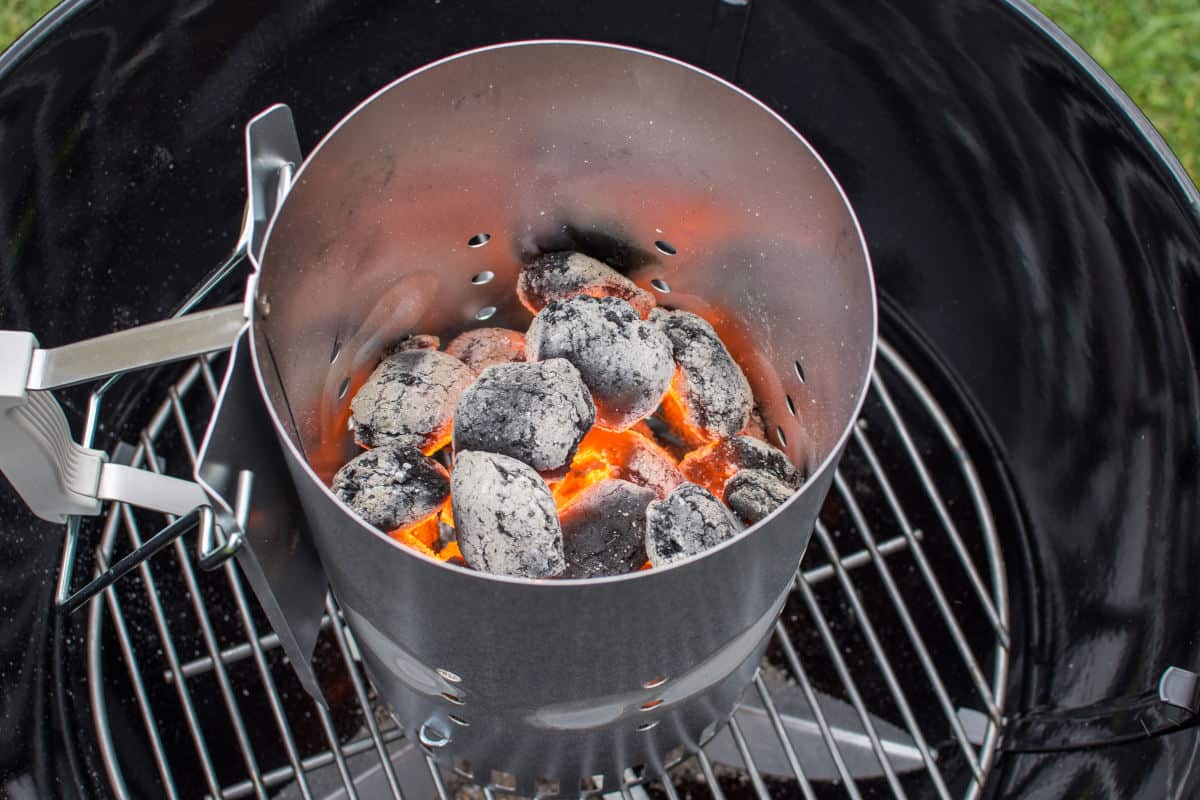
(410,400)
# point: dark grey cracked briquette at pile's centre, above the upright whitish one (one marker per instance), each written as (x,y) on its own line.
(536,413)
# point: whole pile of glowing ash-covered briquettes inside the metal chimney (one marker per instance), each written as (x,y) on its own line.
(536,419)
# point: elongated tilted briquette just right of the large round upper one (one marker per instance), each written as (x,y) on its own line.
(716,395)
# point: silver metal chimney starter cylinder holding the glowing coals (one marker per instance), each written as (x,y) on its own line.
(701,195)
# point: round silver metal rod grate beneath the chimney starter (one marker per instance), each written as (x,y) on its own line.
(886,677)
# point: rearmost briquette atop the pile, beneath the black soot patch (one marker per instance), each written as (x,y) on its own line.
(561,276)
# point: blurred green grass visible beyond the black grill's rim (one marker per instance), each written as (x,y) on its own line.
(1151,47)
